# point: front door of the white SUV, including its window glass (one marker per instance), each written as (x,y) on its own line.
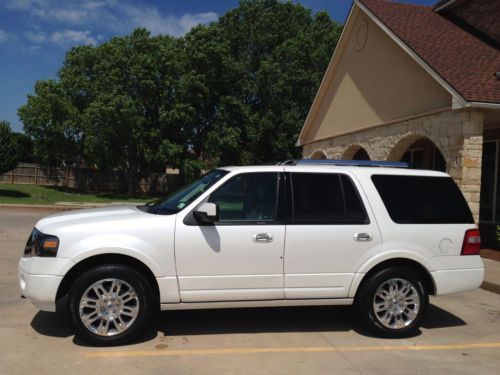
(241,256)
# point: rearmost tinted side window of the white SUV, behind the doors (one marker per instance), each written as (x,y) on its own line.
(422,200)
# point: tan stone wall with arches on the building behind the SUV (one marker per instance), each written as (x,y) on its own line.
(457,134)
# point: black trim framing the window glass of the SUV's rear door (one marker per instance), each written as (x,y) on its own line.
(290,216)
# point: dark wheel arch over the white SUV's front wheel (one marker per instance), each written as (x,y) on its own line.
(102,259)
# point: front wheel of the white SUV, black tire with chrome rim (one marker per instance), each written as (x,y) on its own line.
(110,305)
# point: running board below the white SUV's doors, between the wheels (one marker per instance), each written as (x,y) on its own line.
(261,303)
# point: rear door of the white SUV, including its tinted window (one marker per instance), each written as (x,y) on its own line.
(331,233)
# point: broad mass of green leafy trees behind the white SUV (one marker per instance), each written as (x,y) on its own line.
(236,91)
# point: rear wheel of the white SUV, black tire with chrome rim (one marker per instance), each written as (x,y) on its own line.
(392,302)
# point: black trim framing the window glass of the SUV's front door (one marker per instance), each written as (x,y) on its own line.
(190,220)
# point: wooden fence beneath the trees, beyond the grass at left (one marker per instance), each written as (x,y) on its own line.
(87,179)
